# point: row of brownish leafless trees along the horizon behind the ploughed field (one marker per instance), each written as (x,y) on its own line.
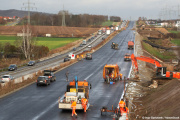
(71,20)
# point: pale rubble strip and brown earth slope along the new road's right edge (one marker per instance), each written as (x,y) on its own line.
(147,103)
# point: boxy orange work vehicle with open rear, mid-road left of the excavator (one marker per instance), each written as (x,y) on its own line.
(111,73)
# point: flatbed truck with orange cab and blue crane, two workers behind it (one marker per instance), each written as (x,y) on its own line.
(76,90)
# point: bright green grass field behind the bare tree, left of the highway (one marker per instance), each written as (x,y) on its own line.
(51,43)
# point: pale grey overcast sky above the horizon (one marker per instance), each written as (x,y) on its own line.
(123,8)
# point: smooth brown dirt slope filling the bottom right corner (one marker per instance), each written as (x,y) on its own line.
(163,101)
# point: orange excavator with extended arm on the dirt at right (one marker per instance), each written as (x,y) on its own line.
(161,72)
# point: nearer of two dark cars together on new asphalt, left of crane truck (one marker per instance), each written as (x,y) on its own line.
(43,80)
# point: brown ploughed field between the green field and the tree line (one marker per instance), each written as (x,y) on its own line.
(57,31)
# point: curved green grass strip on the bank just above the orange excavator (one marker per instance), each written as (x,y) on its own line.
(163,56)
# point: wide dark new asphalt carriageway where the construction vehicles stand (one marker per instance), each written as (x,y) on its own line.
(41,102)
